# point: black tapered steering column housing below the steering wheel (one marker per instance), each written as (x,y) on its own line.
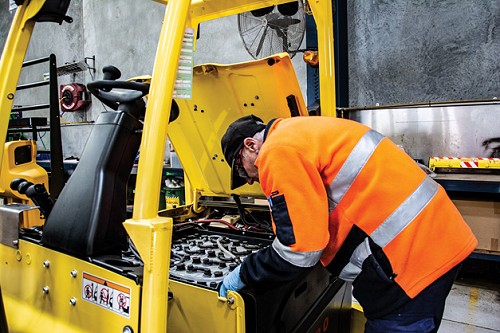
(87,217)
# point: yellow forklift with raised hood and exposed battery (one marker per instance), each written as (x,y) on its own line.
(88,265)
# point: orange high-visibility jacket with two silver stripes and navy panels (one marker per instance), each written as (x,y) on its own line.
(338,189)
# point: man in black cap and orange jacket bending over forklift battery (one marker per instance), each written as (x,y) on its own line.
(344,195)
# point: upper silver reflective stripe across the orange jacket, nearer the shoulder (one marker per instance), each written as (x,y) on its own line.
(352,167)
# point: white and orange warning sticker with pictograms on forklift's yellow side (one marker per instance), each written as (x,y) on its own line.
(106,294)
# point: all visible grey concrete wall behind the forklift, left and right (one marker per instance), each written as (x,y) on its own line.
(400,51)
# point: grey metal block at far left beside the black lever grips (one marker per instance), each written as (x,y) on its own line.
(11,217)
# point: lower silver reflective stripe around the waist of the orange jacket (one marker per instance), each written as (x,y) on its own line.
(391,227)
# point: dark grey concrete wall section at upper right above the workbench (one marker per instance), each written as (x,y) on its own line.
(405,51)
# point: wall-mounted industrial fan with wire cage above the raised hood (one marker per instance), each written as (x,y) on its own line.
(273,29)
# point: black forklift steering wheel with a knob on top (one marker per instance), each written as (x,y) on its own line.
(103,89)
